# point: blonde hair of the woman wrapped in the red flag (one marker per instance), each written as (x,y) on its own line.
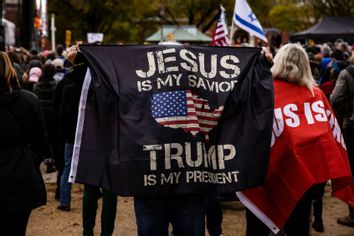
(291,63)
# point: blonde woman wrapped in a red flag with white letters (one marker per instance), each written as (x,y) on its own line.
(307,148)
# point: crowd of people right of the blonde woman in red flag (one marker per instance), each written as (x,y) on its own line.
(332,68)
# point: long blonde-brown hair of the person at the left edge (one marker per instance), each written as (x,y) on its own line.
(8,76)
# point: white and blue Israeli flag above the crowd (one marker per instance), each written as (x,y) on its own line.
(247,20)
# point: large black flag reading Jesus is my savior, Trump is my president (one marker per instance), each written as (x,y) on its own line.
(173,119)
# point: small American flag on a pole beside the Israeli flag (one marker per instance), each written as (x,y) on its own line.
(220,37)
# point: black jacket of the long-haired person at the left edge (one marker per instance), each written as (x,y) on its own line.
(23,144)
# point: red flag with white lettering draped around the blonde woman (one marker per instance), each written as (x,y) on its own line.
(307,149)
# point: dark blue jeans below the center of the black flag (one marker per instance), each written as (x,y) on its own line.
(186,213)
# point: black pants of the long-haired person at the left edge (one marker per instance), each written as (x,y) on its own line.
(14,223)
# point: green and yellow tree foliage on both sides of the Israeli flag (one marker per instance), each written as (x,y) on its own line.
(131,21)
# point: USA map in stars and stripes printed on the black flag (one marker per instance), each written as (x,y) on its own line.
(182,109)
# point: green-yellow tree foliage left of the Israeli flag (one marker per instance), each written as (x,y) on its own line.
(131,21)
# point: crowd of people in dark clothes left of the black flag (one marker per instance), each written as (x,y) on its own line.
(39,101)
